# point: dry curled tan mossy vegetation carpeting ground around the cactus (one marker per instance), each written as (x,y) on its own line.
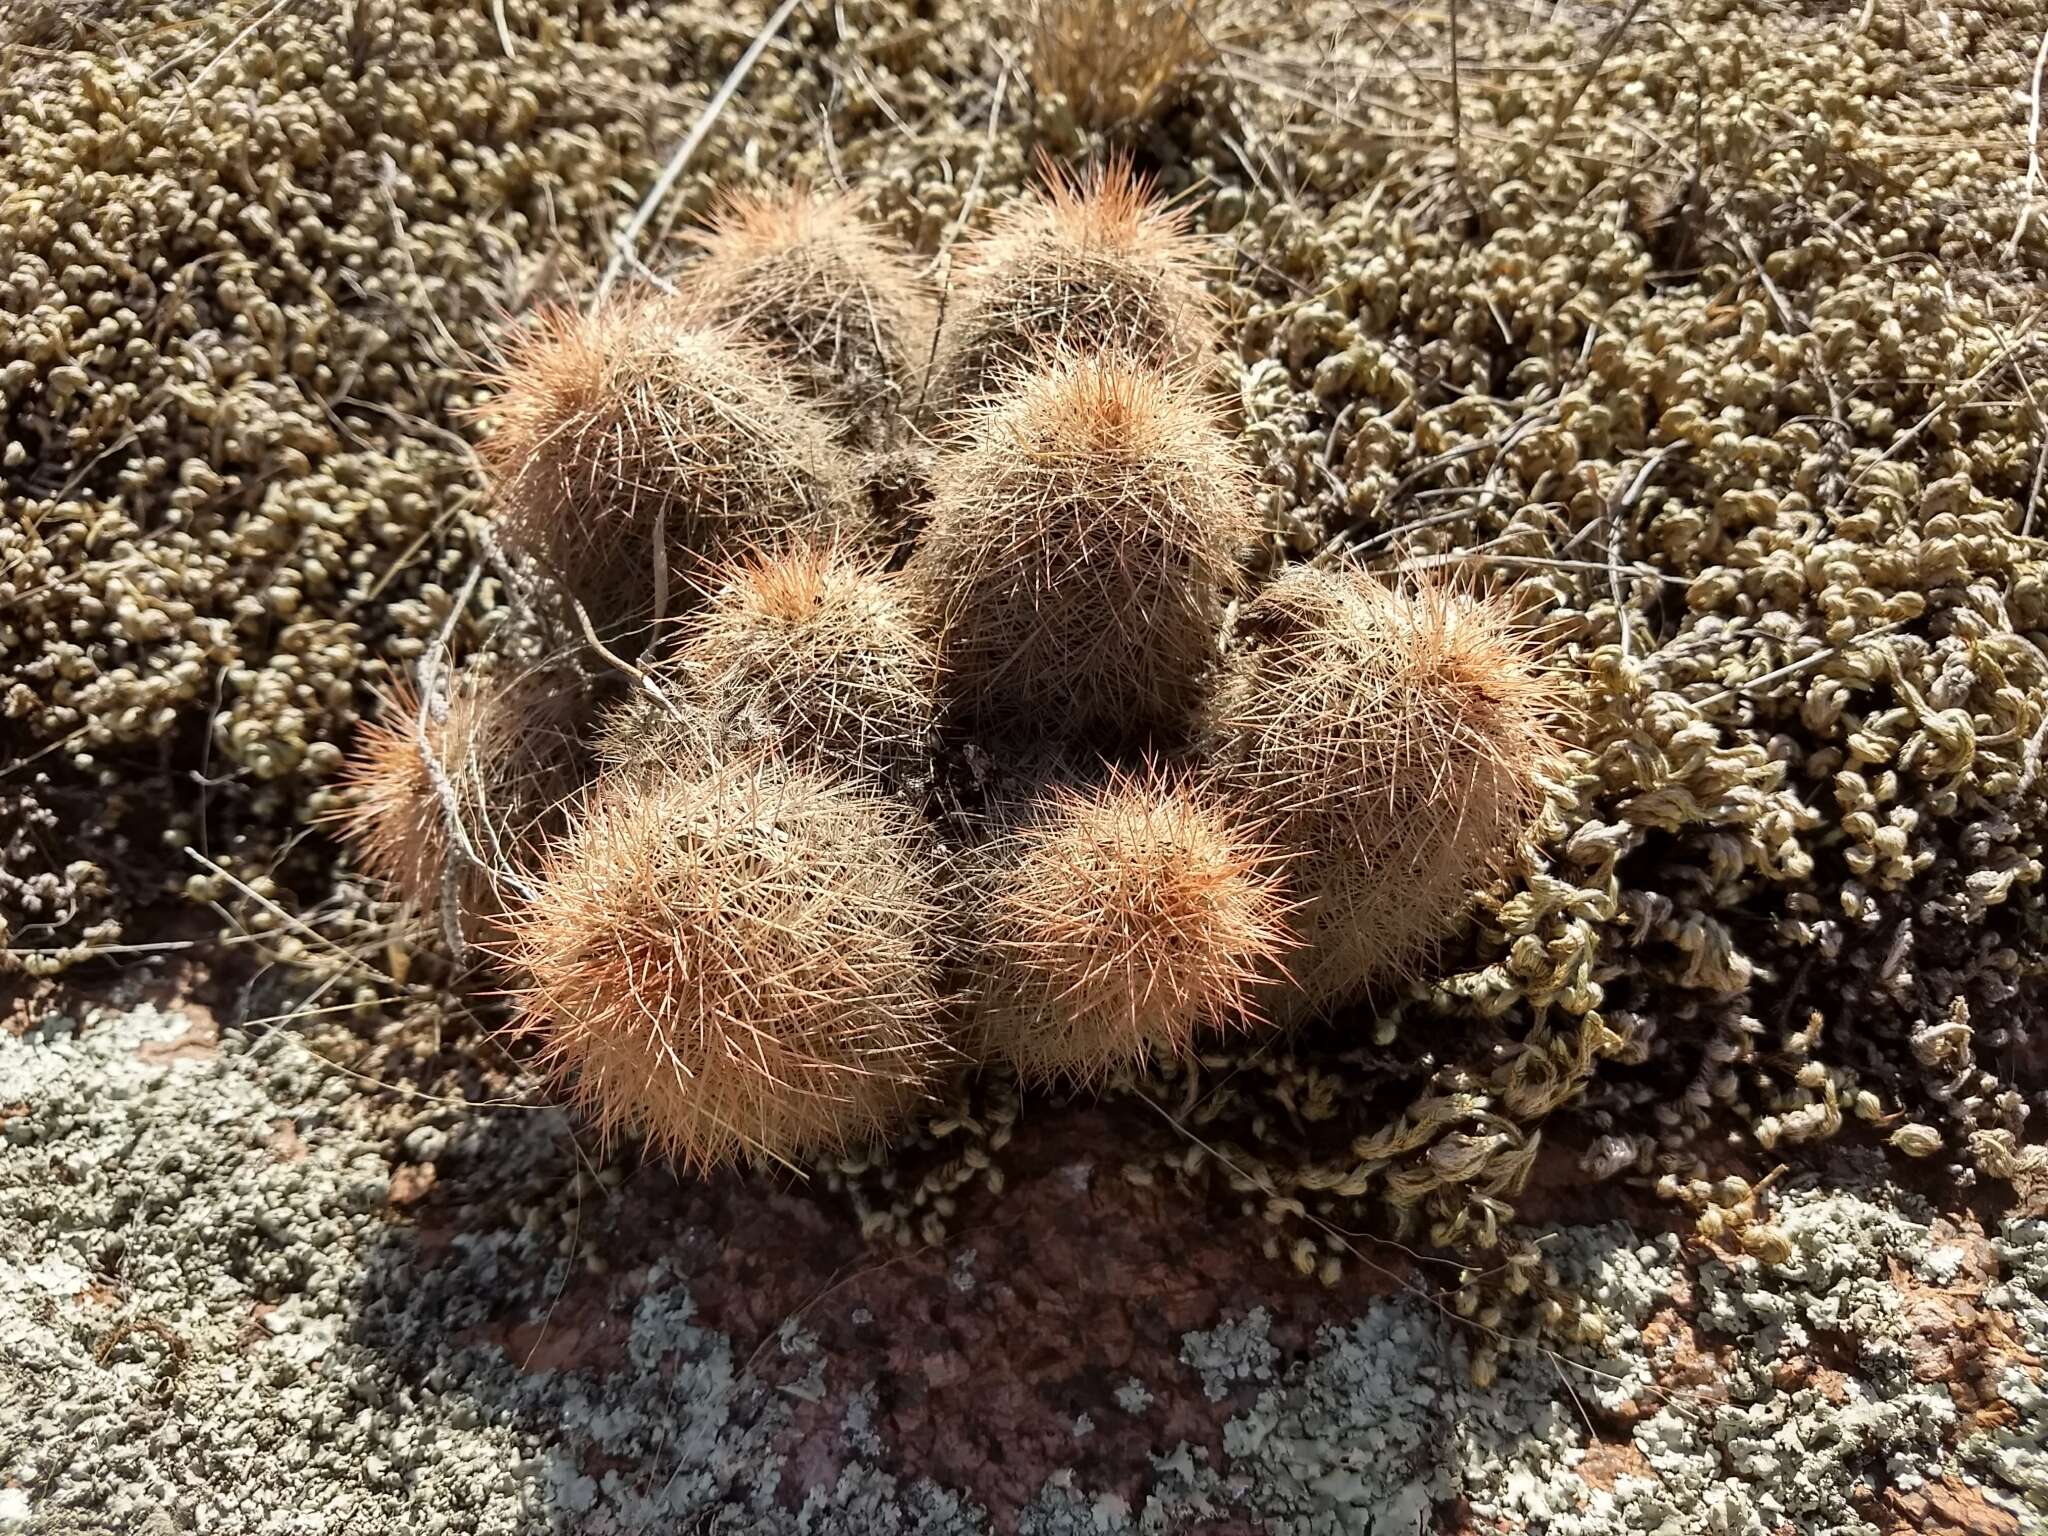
(1711,333)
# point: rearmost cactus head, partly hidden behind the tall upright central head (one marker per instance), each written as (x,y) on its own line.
(1093,263)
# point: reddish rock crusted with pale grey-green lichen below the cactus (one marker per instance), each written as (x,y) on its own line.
(245,1291)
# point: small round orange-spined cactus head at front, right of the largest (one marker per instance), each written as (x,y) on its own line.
(1117,921)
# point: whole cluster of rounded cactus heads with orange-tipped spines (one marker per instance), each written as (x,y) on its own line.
(1062,787)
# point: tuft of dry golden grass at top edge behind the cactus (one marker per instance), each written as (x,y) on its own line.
(1115,60)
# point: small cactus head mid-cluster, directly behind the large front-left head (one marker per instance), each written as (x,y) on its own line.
(810,654)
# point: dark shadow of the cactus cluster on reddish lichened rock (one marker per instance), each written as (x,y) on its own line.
(732,1349)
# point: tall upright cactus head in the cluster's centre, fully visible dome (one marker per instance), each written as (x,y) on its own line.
(1080,548)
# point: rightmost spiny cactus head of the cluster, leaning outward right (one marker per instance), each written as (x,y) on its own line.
(1398,742)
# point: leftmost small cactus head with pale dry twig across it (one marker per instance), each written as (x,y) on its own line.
(509,753)
